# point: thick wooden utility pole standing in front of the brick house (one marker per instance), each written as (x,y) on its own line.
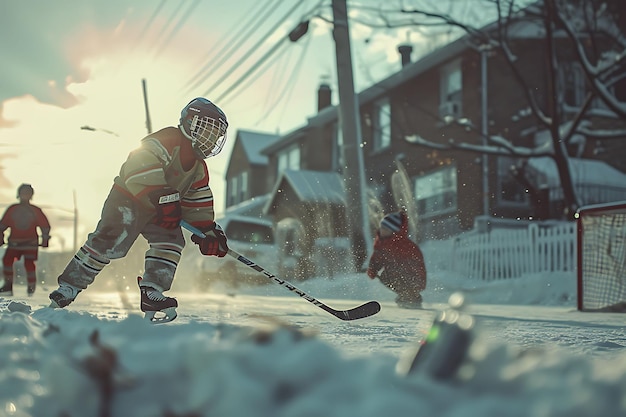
(354,171)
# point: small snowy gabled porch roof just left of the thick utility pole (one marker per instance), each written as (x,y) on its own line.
(310,187)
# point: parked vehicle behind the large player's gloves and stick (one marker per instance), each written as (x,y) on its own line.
(253,238)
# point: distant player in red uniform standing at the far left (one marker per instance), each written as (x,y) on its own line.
(23,219)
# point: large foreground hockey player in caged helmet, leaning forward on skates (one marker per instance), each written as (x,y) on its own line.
(161,183)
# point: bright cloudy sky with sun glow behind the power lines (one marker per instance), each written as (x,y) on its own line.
(69,64)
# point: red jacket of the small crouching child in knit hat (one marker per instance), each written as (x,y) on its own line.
(400,257)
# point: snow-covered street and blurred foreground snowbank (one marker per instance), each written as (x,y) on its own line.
(262,351)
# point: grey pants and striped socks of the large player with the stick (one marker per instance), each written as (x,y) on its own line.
(121,223)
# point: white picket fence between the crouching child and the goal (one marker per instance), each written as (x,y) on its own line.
(511,253)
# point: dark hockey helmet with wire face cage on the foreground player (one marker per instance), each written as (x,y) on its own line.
(205,125)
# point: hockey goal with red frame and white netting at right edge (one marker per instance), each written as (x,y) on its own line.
(602,257)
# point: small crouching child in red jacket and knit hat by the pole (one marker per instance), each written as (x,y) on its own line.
(404,271)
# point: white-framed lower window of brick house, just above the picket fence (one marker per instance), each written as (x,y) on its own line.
(436,192)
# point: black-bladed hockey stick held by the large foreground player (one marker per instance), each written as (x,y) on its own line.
(365,310)
